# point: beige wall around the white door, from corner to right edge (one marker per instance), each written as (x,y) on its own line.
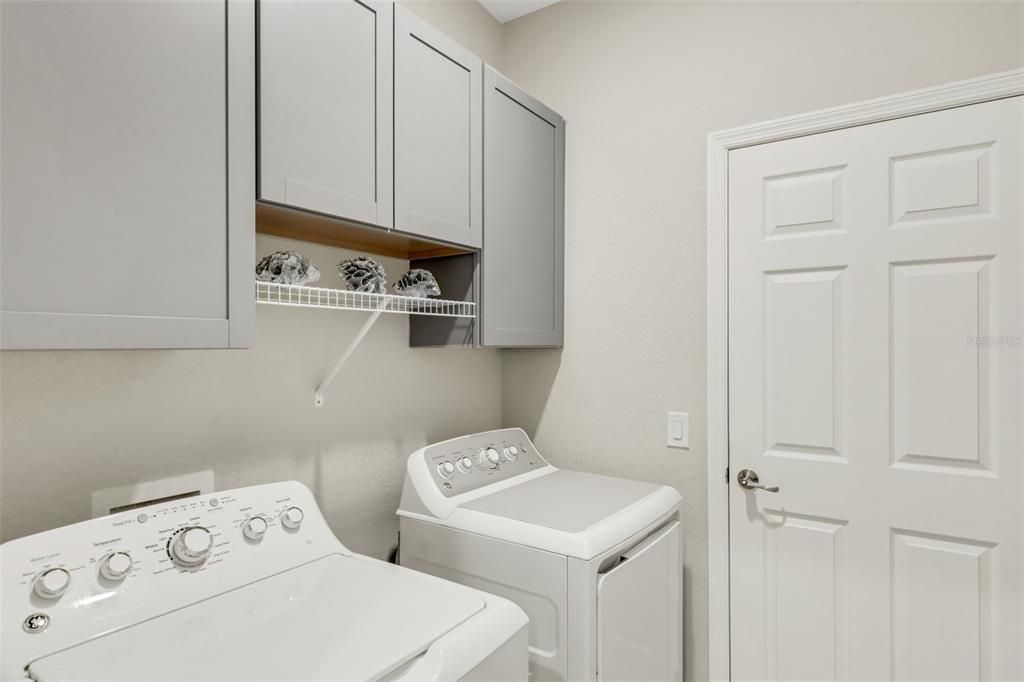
(642,86)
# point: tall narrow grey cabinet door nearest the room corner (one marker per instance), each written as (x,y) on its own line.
(523,260)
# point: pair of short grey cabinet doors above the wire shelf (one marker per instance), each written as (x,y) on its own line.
(371,116)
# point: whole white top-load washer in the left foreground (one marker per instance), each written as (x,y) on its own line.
(242,585)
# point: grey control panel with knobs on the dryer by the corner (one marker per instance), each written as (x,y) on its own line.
(465,464)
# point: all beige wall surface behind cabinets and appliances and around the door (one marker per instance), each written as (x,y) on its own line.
(642,86)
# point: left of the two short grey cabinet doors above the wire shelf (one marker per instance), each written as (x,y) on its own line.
(326,75)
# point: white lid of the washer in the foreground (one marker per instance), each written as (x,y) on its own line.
(335,619)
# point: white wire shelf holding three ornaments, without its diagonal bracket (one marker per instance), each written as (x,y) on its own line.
(339,300)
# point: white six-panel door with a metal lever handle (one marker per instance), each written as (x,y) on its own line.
(876,371)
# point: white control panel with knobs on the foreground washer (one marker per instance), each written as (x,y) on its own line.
(64,586)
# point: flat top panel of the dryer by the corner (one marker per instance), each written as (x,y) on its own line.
(568,501)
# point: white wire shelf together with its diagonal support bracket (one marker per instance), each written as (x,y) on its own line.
(271,293)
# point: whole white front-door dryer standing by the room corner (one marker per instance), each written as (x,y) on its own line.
(594,562)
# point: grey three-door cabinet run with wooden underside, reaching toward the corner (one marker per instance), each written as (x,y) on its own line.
(378,133)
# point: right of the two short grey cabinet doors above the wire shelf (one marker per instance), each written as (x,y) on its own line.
(438,135)
